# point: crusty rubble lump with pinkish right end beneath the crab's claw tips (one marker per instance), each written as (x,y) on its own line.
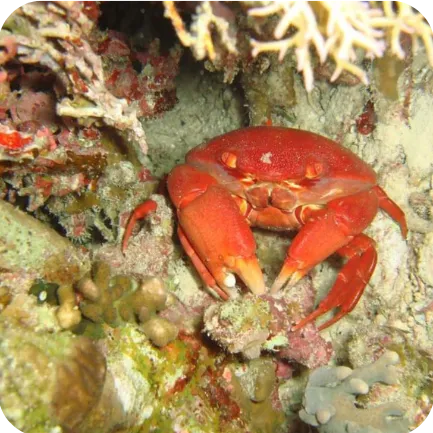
(254,324)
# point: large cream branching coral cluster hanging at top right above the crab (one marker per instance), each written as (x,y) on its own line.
(337,28)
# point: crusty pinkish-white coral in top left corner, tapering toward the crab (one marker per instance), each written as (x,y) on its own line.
(55,34)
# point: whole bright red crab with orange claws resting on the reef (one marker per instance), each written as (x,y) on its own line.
(278,179)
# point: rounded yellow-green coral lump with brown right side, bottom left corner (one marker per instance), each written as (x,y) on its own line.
(48,380)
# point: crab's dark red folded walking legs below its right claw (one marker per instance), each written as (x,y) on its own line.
(350,283)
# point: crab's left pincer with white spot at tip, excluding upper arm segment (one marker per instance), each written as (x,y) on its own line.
(220,247)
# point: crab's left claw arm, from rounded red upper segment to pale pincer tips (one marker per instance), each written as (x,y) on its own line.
(217,232)
